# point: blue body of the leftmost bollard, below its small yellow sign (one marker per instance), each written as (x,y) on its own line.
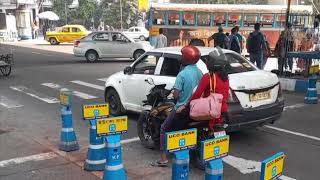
(68,139)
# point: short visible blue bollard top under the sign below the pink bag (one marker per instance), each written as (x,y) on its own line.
(214,170)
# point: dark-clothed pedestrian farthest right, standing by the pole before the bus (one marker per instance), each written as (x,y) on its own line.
(285,44)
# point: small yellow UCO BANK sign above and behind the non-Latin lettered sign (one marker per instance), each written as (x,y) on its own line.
(95,111)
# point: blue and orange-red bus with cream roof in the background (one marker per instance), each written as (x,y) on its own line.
(182,23)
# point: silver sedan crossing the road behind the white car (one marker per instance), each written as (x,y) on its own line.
(105,44)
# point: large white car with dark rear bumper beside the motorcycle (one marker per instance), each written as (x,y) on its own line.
(255,95)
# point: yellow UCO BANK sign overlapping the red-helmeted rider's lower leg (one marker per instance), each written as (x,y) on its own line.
(179,140)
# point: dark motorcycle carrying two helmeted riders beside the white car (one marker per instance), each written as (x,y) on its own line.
(158,107)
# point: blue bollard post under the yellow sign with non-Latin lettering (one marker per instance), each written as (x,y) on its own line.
(114,168)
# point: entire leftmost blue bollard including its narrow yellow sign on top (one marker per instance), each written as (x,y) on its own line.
(68,139)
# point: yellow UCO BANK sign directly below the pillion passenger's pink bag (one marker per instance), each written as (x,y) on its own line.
(215,148)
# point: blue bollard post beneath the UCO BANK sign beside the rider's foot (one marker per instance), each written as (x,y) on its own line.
(180,165)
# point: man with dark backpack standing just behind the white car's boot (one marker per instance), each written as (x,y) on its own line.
(256,45)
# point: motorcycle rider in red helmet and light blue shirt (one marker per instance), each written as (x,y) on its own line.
(187,79)
